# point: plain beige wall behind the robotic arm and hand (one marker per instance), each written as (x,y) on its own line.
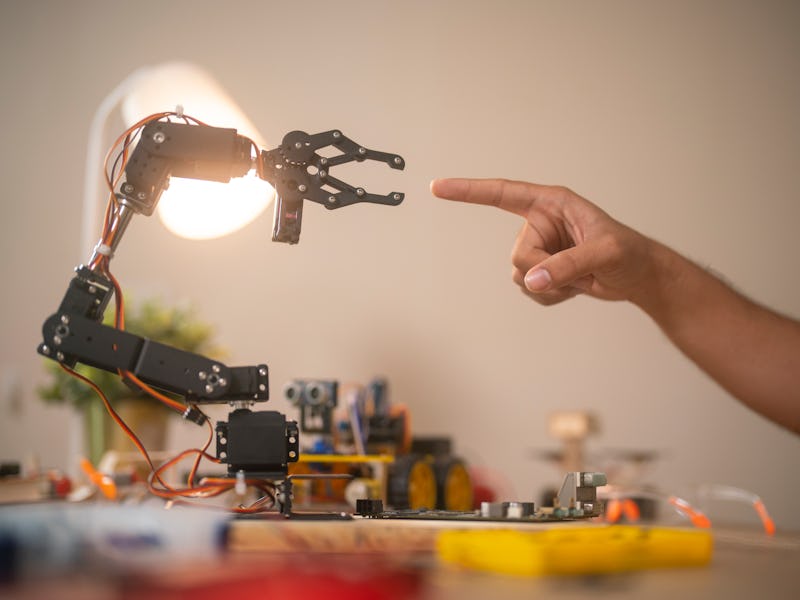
(681,119)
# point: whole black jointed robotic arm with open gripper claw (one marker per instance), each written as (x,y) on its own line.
(258,443)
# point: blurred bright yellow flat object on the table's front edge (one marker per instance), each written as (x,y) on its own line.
(579,550)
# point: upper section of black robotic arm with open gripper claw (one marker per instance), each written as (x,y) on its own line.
(295,168)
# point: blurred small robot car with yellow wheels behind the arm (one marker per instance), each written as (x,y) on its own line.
(373,446)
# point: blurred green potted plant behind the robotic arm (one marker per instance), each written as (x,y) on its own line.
(176,326)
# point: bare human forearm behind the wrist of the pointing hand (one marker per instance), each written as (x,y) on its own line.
(751,351)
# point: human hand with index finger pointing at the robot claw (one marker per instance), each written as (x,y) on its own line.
(567,245)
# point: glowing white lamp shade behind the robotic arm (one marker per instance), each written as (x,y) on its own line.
(192,208)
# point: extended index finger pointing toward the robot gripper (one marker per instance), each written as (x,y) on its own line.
(513,196)
